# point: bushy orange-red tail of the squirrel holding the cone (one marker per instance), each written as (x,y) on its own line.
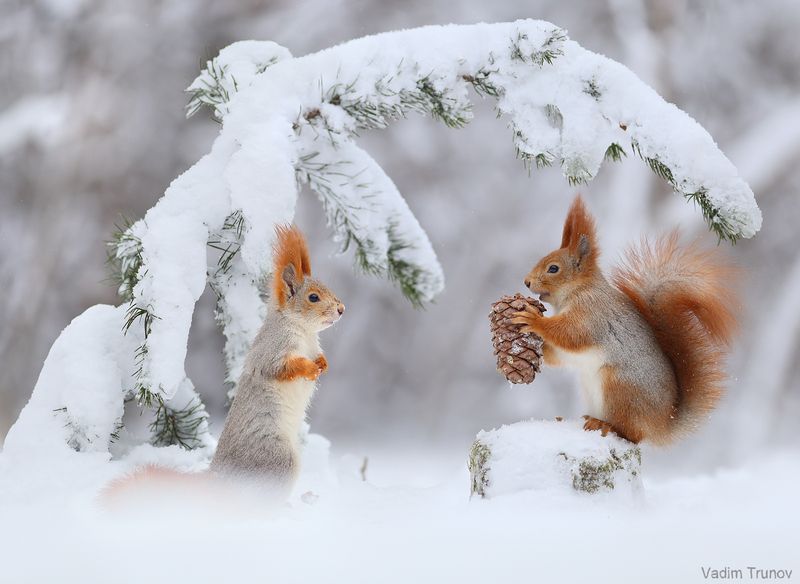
(685,293)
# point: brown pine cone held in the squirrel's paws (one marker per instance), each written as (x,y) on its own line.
(519,355)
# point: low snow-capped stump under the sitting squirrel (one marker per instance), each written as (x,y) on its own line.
(552,456)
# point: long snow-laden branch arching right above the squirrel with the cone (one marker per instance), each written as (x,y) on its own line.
(564,104)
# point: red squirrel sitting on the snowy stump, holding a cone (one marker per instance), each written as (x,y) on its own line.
(649,344)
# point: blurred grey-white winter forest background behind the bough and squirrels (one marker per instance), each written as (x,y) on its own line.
(92,127)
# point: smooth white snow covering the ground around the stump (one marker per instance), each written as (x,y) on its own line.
(411,521)
